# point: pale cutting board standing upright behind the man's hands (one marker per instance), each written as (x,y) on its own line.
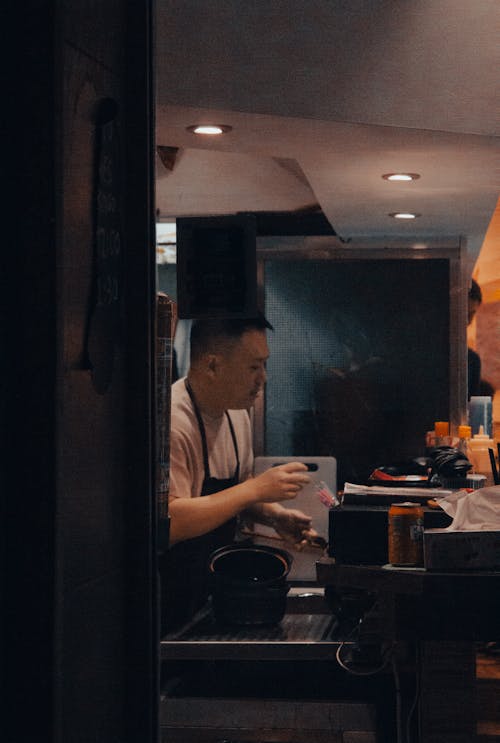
(320,469)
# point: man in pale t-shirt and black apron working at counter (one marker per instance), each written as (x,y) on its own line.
(211,460)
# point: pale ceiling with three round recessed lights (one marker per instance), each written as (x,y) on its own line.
(324,97)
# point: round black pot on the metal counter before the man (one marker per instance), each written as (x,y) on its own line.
(249,584)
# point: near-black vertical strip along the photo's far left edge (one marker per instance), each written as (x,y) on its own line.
(28,342)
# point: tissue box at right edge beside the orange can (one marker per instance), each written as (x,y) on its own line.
(461,550)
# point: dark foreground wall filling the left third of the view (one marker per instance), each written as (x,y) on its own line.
(77,370)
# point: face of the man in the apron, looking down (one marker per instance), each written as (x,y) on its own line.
(242,370)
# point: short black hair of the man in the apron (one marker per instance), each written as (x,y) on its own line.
(207,333)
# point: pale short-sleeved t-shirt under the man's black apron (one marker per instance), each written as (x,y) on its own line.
(186,454)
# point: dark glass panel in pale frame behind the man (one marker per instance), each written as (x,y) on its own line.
(360,357)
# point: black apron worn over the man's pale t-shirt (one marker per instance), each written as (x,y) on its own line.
(184,574)
